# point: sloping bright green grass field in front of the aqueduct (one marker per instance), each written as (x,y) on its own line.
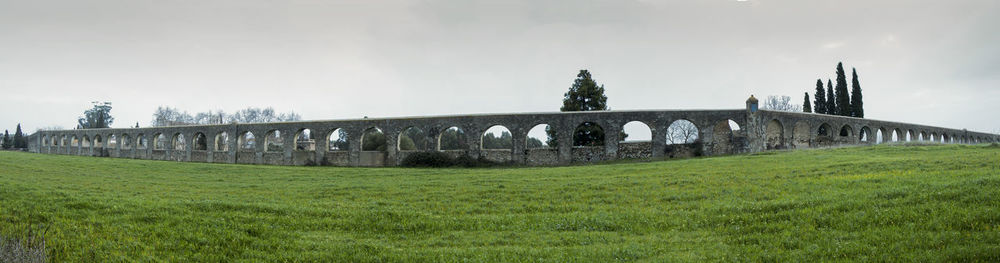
(905,203)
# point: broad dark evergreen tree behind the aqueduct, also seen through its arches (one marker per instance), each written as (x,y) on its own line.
(583,95)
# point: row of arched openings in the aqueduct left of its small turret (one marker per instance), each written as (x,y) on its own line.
(496,137)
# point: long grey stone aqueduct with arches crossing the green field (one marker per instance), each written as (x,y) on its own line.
(759,130)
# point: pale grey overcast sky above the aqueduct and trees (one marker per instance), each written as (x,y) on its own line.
(927,62)
